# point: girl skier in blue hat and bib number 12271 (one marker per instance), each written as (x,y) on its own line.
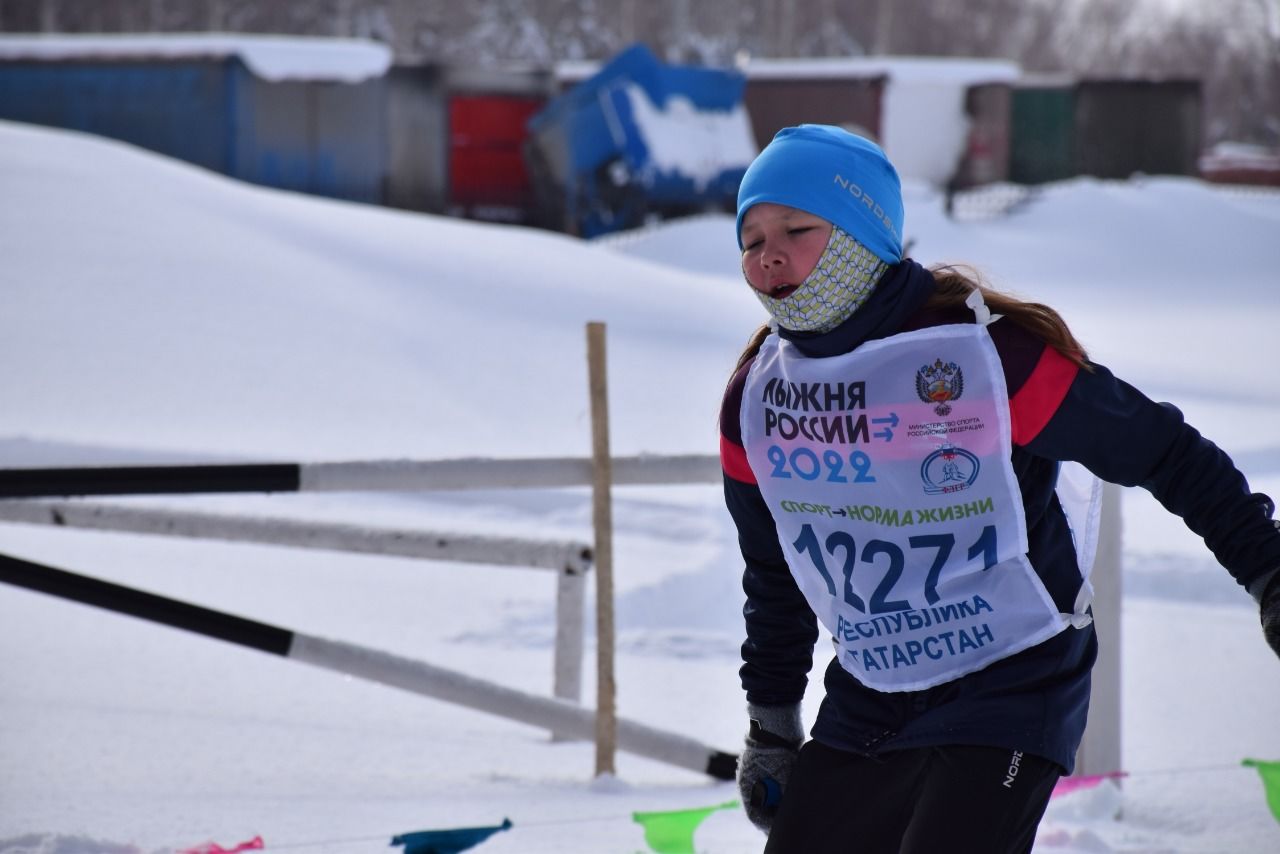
(908,460)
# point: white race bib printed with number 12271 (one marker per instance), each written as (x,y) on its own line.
(888,473)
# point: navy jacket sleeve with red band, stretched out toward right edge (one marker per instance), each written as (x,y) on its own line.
(1091,417)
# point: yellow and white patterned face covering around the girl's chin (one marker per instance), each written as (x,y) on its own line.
(840,282)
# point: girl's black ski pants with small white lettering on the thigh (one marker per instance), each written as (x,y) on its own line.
(953,800)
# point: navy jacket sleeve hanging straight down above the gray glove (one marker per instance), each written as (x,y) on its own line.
(781,629)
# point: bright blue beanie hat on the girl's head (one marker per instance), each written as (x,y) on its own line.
(831,173)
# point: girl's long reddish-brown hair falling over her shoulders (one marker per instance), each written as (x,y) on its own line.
(953,286)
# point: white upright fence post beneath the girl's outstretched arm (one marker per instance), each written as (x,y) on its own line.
(1100,750)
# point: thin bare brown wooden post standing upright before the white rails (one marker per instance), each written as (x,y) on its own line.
(602,517)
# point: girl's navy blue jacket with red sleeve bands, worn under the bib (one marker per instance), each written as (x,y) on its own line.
(1035,701)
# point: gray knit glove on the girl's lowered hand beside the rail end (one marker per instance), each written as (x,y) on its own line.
(764,770)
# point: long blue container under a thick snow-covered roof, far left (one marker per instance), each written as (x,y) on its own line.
(318,138)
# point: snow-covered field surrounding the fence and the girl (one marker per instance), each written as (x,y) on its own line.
(150,312)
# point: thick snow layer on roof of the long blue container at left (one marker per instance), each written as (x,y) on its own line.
(272,58)
